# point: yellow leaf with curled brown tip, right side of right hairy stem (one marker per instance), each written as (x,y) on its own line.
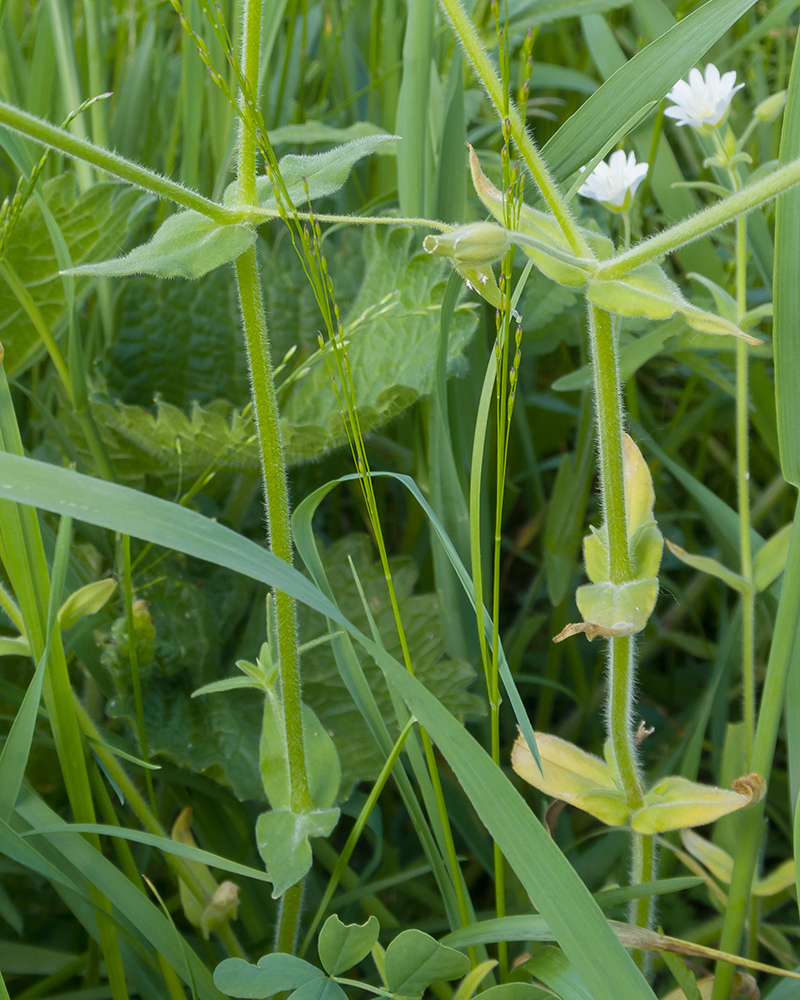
(676,803)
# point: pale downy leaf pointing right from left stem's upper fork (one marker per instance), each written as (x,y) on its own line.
(321,173)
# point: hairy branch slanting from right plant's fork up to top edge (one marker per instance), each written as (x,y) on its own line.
(468,36)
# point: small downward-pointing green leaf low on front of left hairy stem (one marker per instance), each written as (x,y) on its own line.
(283,842)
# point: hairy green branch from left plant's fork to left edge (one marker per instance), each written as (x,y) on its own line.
(57,138)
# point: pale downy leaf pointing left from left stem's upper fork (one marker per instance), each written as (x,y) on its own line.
(187,245)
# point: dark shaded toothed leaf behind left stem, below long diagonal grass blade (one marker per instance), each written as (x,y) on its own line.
(189,619)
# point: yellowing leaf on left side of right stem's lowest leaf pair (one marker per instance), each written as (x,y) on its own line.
(573,775)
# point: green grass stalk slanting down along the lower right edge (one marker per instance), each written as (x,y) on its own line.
(769,717)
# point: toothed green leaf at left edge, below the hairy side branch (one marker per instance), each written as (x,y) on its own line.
(93,224)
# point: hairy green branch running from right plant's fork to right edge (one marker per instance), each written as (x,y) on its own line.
(704,222)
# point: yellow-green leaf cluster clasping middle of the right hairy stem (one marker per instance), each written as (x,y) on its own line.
(615,609)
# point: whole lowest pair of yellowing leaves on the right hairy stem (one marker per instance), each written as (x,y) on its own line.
(591,784)
